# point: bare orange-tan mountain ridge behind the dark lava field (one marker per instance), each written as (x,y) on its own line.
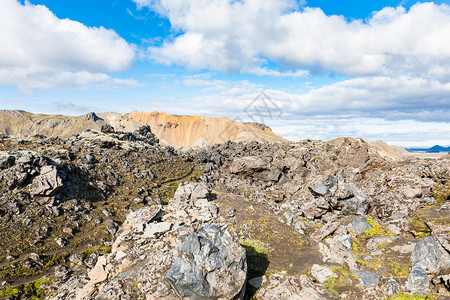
(172,130)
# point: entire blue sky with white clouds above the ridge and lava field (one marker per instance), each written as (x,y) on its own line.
(311,69)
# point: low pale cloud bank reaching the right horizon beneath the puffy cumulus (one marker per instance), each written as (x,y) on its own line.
(402,111)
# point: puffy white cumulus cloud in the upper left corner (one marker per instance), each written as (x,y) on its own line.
(41,51)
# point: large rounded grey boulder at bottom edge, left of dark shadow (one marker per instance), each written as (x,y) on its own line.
(210,265)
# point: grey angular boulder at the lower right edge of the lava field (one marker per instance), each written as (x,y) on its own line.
(430,255)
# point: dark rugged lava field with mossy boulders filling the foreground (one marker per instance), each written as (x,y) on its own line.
(116,215)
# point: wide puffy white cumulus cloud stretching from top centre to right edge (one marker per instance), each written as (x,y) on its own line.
(242,35)
